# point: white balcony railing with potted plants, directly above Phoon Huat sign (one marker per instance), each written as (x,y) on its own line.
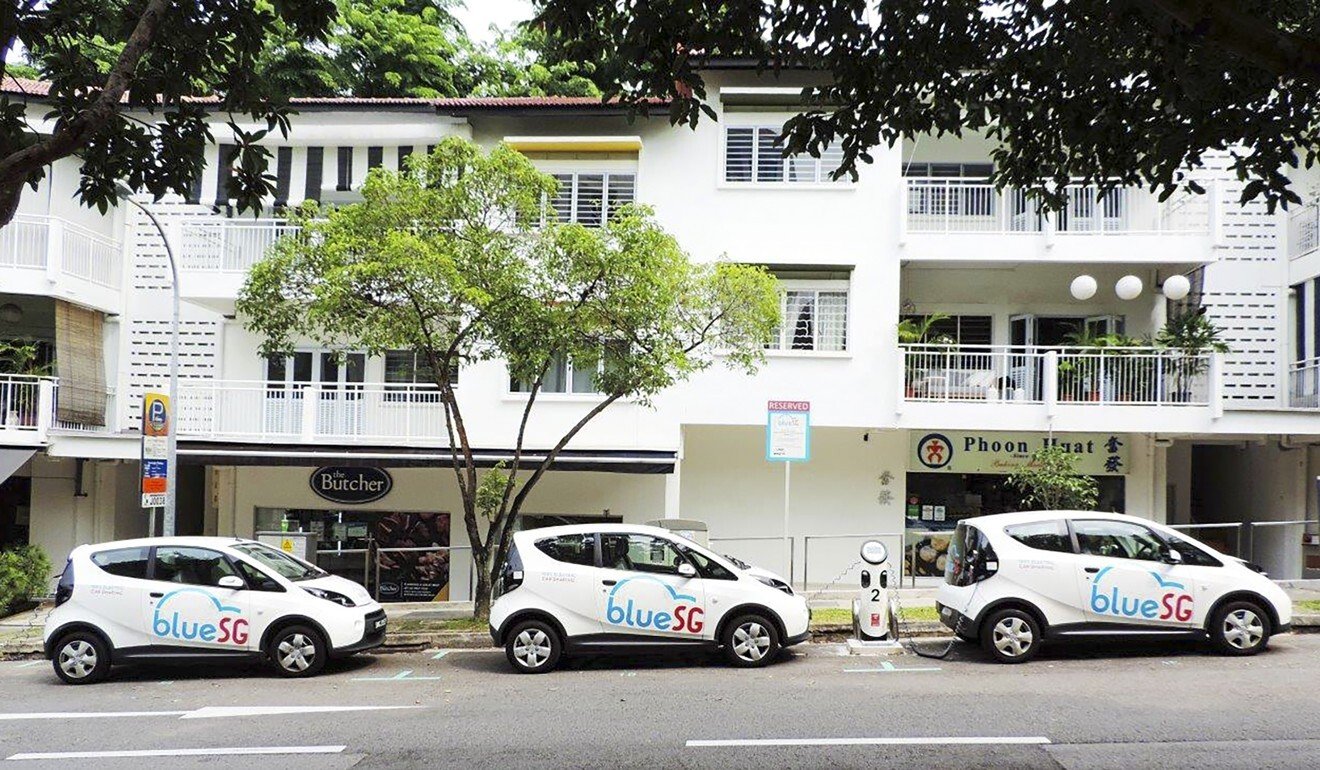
(1049,376)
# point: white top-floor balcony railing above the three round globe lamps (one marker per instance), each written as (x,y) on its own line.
(971,205)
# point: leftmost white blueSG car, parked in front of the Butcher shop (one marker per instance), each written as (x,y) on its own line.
(172,599)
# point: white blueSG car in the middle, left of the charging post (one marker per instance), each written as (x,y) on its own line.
(622,588)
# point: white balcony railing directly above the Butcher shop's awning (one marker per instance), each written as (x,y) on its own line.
(308,413)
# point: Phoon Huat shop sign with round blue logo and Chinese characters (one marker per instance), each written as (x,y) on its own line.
(1006,452)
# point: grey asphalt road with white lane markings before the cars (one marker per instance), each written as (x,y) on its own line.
(1078,709)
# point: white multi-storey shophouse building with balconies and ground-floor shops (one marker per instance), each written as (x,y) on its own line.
(906,440)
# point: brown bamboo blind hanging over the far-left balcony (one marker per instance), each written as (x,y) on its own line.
(81,365)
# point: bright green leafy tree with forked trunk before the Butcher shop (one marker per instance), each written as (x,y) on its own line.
(451,260)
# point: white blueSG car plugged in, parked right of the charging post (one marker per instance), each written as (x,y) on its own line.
(1016,580)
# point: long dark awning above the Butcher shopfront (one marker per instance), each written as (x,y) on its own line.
(298,455)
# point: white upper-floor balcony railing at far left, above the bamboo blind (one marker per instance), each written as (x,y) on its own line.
(60,248)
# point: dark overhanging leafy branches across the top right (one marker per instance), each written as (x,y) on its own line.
(1116,93)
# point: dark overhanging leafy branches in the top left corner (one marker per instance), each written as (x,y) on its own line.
(110,63)
